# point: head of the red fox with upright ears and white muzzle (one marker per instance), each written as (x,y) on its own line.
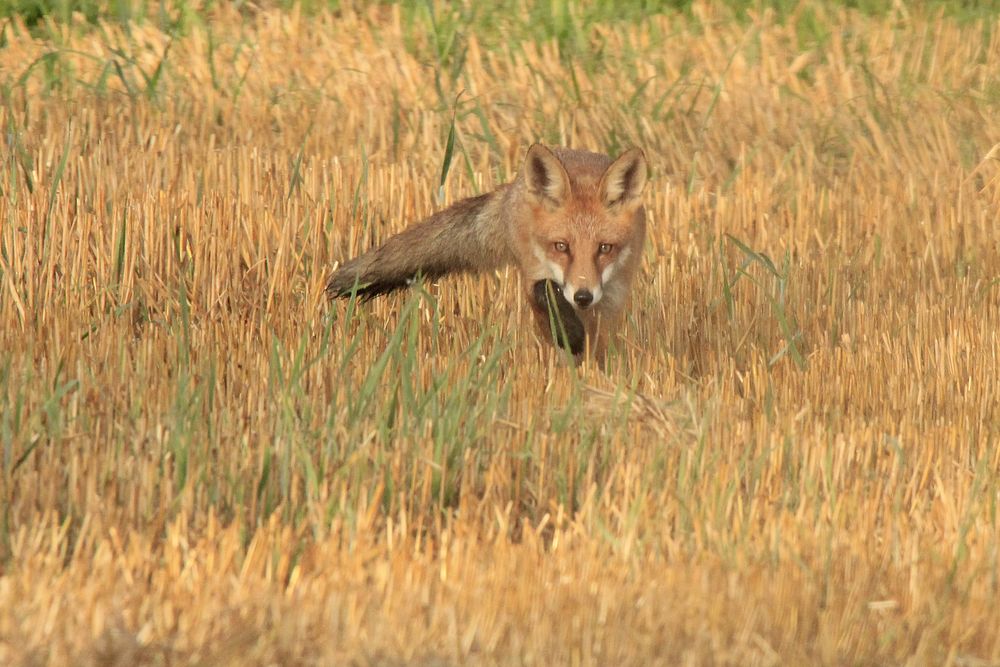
(586,219)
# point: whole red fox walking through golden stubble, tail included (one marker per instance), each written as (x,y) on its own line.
(572,222)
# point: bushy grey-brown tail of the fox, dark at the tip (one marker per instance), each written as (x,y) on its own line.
(467,236)
